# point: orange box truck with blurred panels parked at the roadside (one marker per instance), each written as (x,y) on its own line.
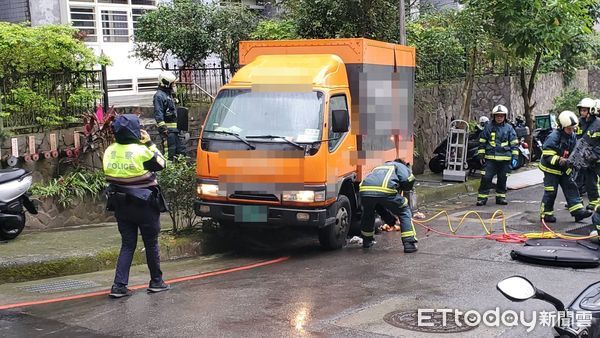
(287,141)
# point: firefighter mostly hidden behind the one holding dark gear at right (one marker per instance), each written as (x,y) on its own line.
(586,178)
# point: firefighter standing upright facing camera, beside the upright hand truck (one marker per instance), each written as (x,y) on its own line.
(497,148)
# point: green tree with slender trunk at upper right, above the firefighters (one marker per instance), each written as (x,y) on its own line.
(530,29)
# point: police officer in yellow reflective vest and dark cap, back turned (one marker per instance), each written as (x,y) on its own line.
(133,194)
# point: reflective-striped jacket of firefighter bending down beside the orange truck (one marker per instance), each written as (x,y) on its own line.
(387,179)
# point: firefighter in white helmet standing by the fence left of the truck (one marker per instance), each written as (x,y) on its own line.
(165,114)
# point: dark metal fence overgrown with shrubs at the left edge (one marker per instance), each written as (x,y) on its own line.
(34,100)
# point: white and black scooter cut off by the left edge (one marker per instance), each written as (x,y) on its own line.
(14,184)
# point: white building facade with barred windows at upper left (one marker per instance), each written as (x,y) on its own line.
(108,27)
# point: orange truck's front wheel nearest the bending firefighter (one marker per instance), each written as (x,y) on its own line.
(334,235)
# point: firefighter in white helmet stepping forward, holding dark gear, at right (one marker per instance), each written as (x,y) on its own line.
(555,152)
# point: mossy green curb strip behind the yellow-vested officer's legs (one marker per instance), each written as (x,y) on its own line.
(171,248)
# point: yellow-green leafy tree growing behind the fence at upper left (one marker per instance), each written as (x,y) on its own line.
(38,68)
